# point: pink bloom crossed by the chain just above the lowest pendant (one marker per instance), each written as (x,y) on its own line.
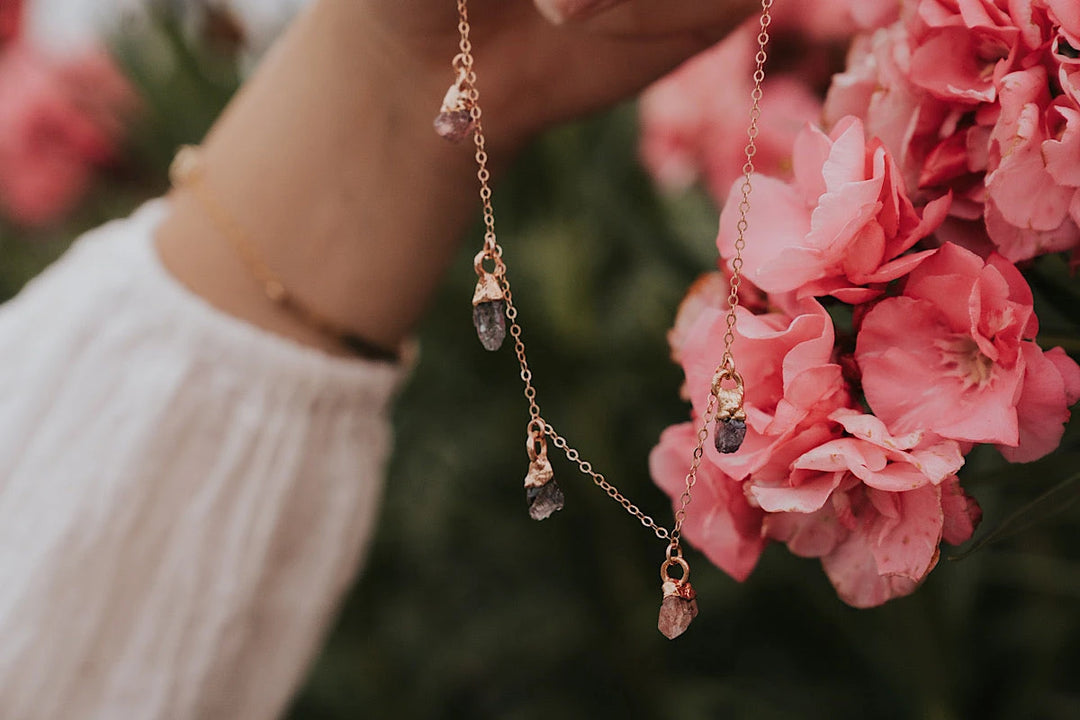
(723,525)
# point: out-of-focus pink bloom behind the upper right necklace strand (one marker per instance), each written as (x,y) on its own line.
(694,121)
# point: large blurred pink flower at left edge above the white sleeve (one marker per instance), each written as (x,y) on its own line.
(59,121)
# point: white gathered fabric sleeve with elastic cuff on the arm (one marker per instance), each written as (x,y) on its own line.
(184,498)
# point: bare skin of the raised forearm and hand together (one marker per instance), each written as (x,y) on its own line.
(329,160)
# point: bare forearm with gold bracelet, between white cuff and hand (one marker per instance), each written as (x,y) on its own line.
(329,161)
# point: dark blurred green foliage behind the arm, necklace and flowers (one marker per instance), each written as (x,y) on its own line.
(468,609)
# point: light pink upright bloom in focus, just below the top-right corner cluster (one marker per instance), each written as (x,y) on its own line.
(844,224)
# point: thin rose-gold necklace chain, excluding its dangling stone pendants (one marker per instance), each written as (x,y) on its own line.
(493,252)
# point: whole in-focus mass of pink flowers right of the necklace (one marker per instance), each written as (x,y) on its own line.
(957,155)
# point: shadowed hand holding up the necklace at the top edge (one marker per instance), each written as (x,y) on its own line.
(539,69)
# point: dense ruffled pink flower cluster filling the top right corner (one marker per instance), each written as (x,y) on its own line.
(979,99)
